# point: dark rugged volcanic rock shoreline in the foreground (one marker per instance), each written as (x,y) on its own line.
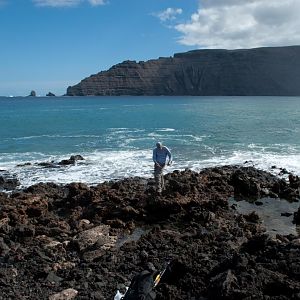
(91,241)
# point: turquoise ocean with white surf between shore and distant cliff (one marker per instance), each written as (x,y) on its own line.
(116,135)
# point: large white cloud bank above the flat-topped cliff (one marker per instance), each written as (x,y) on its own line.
(242,24)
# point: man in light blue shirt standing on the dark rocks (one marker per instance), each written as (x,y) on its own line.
(160,154)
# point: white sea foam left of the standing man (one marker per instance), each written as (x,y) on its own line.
(97,167)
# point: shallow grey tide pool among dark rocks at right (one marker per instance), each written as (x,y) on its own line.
(269,211)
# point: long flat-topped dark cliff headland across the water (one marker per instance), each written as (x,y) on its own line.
(260,71)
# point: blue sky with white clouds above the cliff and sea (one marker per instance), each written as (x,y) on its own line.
(48,45)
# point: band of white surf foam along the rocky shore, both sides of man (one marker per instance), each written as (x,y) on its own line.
(107,165)
